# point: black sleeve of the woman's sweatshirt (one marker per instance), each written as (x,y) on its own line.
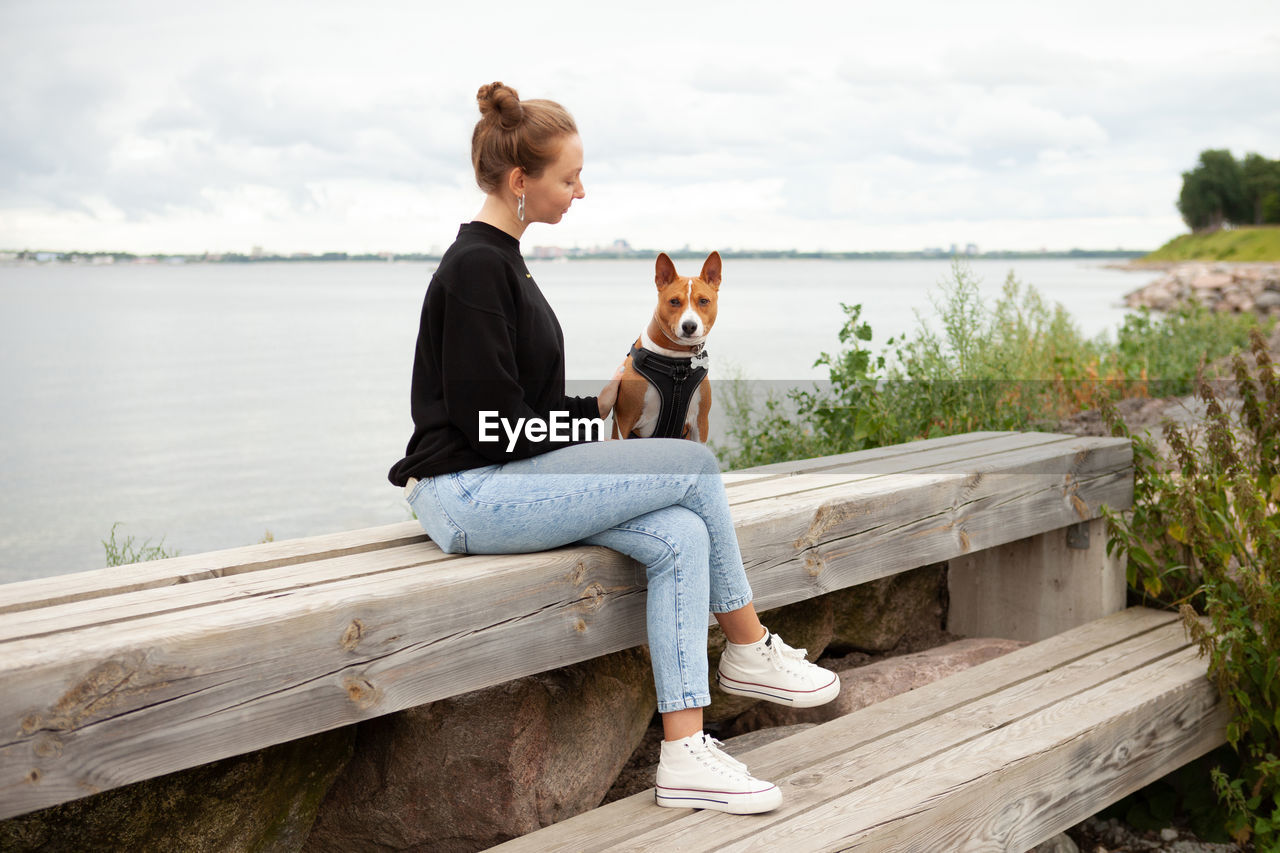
(482,378)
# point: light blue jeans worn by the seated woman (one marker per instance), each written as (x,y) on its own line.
(657,500)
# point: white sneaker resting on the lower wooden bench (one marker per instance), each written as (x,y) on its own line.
(693,773)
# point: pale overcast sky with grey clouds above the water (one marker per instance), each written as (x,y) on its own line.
(309,126)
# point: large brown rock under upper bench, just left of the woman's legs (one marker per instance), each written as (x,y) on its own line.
(472,772)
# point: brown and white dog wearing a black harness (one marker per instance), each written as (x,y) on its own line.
(670,352)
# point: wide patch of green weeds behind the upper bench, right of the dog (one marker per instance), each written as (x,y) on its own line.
(1020,364)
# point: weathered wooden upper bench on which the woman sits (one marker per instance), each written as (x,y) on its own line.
(118,676)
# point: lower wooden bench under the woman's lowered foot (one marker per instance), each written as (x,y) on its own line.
(999,758)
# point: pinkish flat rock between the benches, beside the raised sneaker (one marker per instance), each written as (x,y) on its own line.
(865,686)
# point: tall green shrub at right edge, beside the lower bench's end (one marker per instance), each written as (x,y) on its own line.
(1205,535)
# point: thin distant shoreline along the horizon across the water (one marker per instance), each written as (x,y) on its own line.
(89,259)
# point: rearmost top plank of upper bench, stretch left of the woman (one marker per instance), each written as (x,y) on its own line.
(44,592)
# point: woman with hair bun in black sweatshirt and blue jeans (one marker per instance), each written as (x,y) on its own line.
(491,352)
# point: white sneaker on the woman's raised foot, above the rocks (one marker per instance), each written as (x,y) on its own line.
(772,670)
